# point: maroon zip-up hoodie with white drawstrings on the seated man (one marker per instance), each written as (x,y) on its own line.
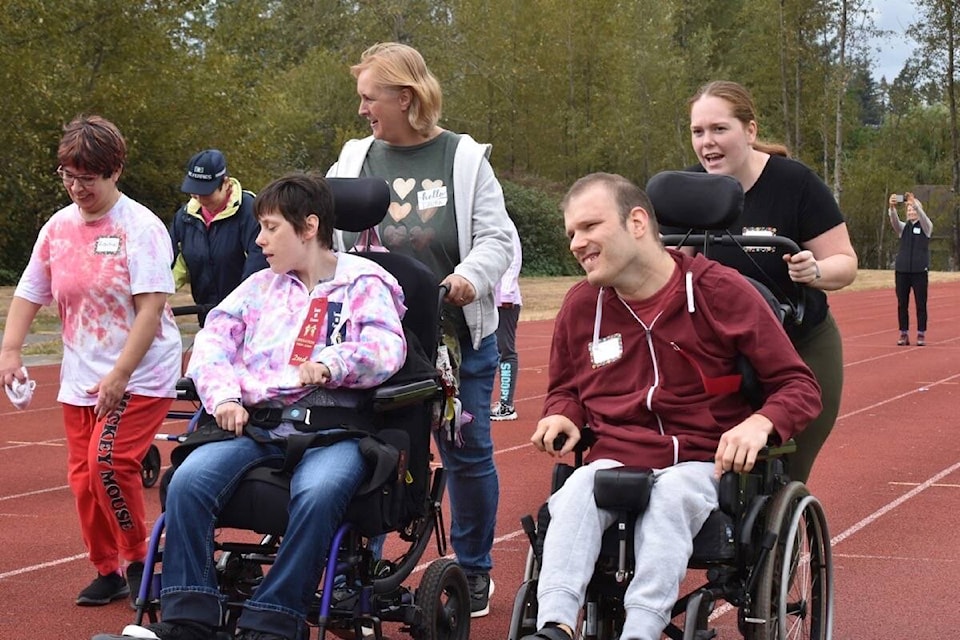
(663,400)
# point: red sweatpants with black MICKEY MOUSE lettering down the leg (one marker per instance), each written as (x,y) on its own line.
(103,470)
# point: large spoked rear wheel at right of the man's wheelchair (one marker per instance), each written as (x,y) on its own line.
(794,597)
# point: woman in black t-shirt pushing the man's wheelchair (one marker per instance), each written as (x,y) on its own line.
(786,198)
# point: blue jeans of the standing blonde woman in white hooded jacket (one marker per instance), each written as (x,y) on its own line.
(472,480)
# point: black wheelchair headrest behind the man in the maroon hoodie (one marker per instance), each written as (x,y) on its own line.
(692,200)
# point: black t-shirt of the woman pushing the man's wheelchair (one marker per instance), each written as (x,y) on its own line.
(790,200)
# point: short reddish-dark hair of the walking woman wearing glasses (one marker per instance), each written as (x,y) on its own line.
(94,144)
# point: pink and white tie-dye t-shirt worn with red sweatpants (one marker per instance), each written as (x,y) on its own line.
(92,270)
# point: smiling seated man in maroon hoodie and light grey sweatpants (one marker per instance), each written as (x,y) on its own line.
(644,352)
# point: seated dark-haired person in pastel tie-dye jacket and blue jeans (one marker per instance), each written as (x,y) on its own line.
(312,330)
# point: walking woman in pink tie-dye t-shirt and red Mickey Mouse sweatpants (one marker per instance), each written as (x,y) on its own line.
(105,261)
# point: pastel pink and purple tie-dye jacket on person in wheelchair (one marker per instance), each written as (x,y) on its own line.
(244,348)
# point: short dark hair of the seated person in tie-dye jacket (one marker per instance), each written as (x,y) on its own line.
(296,196)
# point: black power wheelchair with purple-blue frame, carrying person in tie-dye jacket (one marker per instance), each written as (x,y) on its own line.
(359,591)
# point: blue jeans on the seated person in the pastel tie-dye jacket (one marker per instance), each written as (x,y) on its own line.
(322,486)
